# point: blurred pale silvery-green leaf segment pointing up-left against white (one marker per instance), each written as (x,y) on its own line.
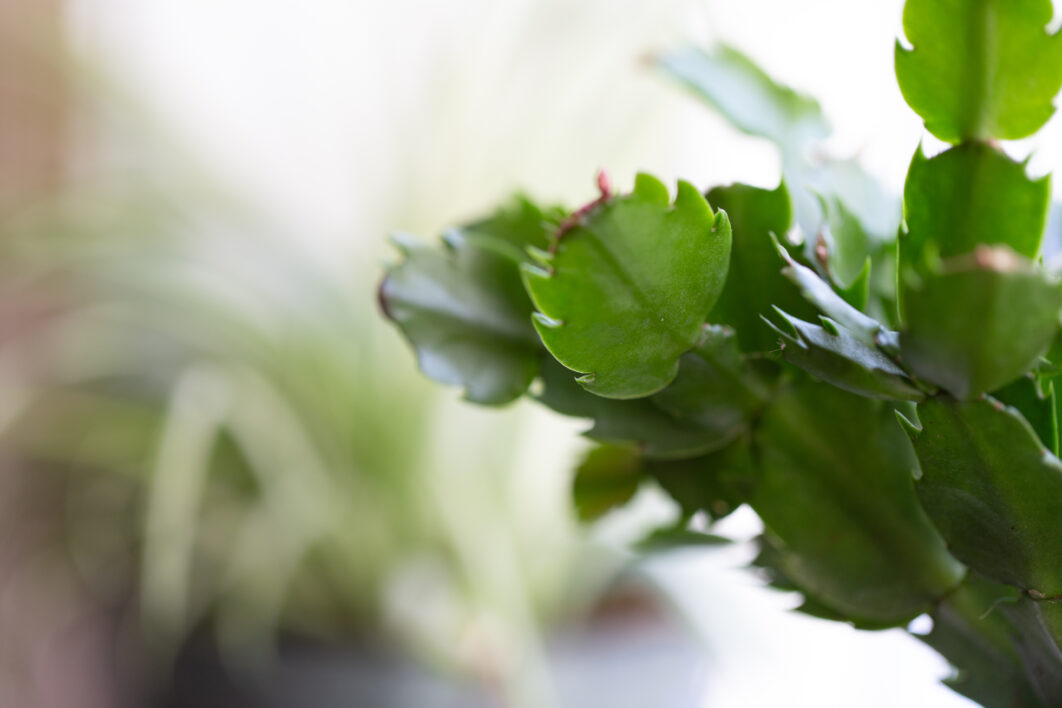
(731,83)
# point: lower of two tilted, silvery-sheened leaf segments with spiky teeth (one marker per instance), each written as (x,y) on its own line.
(838,358)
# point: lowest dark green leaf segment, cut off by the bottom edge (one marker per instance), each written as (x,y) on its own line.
(974,629)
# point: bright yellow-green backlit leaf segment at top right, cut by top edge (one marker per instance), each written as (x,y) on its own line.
(980,70)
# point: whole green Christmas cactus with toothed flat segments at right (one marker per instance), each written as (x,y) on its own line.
(883,398)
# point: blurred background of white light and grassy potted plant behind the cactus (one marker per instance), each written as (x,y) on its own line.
(217,457)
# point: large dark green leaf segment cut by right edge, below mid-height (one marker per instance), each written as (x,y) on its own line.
(992,490)
